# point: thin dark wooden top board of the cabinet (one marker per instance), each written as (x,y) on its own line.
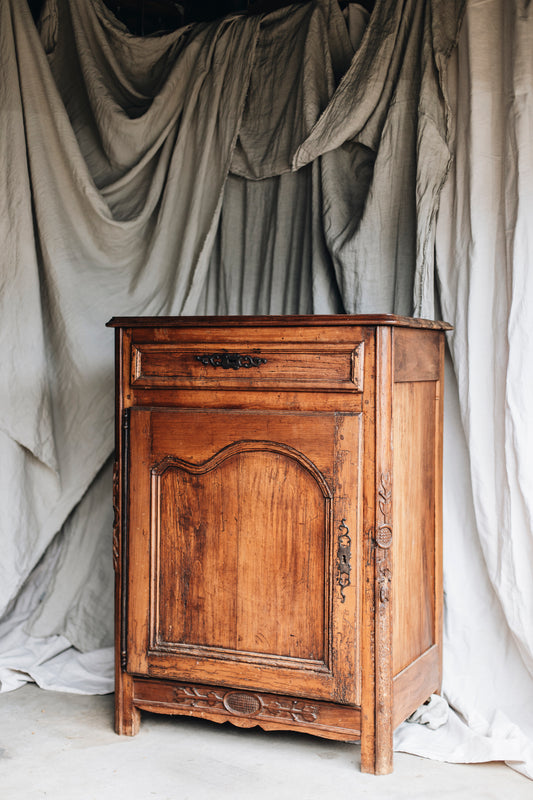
(310,321)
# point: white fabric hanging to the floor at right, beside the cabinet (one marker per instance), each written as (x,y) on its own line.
(484,252)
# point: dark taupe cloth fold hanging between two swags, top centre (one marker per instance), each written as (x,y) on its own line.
(302,53)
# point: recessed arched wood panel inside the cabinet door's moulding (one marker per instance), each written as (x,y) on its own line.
(220,583)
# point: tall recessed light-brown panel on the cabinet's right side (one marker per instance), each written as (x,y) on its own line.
(414,434)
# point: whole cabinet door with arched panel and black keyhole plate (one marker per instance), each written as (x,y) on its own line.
(243,549)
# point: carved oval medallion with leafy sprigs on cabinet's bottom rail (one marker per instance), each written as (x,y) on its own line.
(245,704)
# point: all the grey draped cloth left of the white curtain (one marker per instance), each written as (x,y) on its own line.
(118,202)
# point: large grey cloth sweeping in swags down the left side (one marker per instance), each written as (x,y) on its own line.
(77,256)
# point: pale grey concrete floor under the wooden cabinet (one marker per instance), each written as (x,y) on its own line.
(62,747)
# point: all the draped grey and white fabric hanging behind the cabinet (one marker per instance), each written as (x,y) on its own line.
(291,163)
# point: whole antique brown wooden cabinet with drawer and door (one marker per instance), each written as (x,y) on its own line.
(277,538)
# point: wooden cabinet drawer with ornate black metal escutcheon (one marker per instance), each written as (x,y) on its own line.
(301,366)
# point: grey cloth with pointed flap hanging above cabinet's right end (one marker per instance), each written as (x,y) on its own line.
(391,102)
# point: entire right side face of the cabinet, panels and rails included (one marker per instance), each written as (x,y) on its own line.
(417,577)
